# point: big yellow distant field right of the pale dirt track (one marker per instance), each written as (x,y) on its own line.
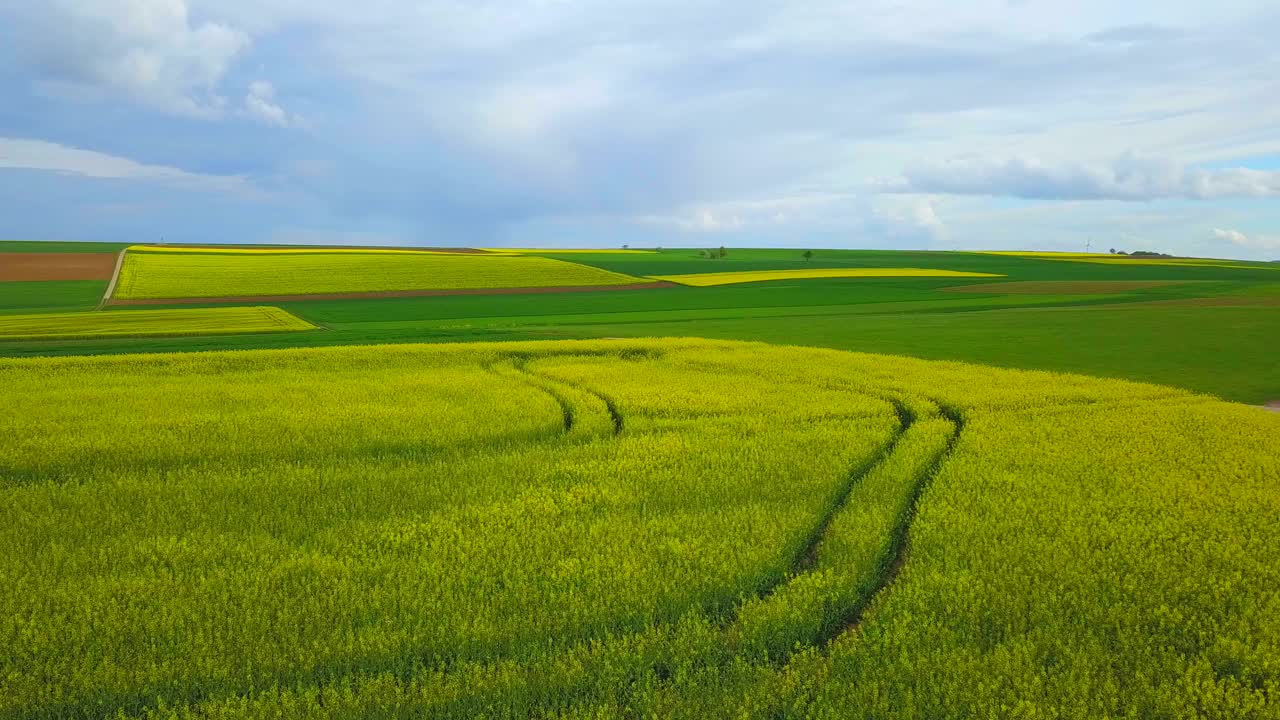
(161,274)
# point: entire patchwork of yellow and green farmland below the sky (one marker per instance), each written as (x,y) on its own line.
(638,528)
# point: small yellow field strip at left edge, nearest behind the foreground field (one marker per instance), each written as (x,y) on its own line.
(149,323)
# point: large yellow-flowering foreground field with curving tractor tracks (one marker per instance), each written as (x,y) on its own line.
(674,528)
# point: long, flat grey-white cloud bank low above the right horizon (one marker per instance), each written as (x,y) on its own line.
(1130,177)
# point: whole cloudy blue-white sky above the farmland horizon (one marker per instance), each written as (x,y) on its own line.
(1148,125)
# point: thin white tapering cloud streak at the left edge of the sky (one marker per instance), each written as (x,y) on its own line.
(21,154)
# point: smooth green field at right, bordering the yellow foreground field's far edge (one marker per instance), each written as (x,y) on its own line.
(1226,352)
